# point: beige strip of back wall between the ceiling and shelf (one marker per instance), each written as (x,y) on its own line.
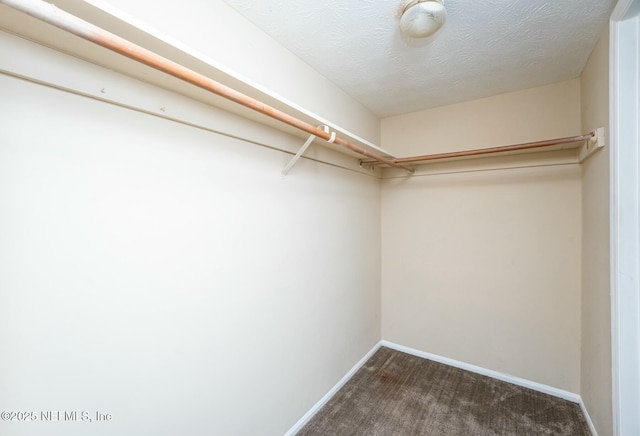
(534,114)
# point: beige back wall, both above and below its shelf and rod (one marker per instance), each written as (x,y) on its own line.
(484,267)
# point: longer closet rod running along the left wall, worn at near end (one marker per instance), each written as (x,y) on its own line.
(63,20)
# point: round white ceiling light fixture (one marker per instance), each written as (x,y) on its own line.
(422,18)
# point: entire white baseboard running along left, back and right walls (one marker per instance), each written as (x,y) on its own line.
(570,396)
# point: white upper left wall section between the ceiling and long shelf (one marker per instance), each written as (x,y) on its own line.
(218,32)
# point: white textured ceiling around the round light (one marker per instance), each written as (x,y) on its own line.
(487,47)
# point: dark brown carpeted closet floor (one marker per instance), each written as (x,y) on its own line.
(399,394)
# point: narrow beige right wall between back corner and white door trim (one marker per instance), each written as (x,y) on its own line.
(596,304)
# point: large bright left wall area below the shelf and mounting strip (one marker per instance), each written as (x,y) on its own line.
(171,277)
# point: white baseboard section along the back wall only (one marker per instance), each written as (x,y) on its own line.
(575,398)
